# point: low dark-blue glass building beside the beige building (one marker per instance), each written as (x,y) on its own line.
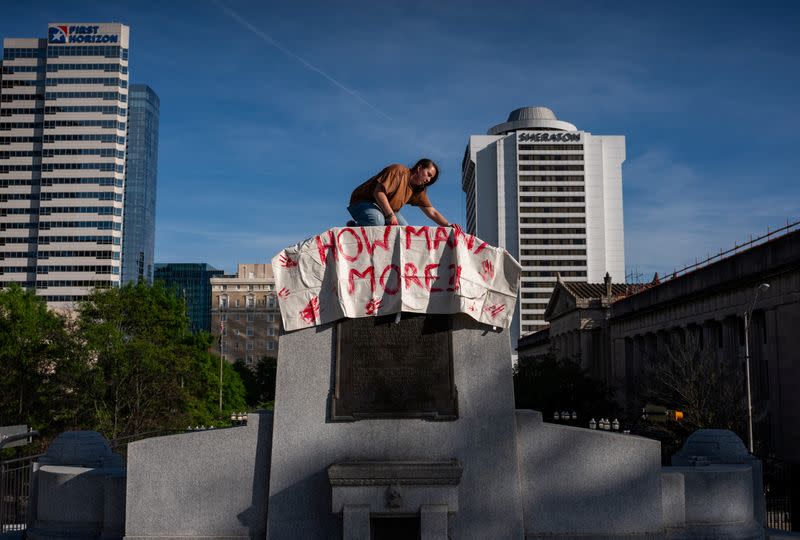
(192,281)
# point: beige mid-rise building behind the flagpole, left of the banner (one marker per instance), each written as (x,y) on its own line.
(244,309)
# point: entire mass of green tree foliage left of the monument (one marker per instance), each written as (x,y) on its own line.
(126,364)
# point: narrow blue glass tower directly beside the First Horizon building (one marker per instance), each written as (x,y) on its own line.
(139,229)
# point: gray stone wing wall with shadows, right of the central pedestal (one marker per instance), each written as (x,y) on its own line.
(578,481)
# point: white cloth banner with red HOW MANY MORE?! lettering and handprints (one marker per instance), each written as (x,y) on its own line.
(370,271)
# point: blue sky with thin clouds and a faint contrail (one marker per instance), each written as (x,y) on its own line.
(271,113)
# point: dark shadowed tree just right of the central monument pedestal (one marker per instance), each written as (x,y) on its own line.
(549,384)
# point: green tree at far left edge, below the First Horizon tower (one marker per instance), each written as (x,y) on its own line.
(45,376)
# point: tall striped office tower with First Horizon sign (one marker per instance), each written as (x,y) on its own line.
(63,128)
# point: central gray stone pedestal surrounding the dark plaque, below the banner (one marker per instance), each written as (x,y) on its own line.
(482,439)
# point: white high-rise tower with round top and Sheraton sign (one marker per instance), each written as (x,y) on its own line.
(551,195)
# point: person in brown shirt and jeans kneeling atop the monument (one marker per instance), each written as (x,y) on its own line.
(377,201)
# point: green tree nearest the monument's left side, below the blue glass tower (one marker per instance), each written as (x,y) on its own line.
(152,372)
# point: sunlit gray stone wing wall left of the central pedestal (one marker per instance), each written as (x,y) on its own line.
(201,484)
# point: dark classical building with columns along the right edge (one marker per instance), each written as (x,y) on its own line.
(613,329)
